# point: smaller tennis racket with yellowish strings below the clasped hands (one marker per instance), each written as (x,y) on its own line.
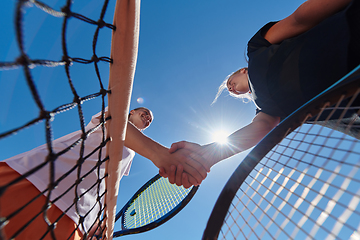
(156,202)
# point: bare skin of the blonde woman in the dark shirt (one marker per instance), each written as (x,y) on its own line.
(305,17)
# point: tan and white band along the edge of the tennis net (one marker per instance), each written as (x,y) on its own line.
(124,49)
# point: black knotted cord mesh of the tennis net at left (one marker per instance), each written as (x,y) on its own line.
(27,64)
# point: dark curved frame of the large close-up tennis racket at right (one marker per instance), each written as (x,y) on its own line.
(345,87)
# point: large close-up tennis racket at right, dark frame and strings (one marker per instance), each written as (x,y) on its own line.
(302,181)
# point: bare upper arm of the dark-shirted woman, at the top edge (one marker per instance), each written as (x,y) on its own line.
(305,17)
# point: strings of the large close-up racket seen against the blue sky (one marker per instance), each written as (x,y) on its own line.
(297,180)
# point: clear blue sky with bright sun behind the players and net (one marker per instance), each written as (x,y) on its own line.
(186,49)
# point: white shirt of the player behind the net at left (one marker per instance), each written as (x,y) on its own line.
(28,160)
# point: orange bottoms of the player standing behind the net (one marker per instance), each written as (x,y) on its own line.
(18,195)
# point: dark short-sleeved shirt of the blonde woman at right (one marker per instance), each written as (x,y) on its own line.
(285,76)
